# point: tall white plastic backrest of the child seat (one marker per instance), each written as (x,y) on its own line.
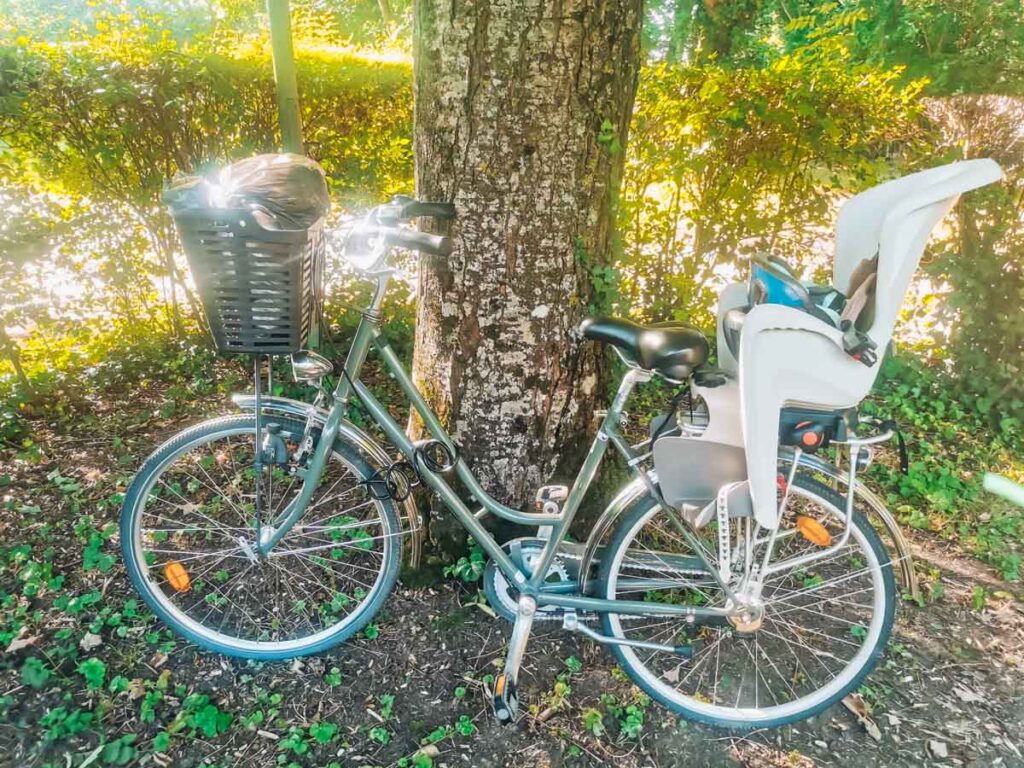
(894,222)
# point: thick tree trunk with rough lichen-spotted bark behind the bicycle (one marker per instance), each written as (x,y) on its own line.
(523,109)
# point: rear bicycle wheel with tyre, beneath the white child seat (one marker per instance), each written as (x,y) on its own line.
(823,630)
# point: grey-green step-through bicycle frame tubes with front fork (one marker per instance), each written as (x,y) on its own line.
(368,334)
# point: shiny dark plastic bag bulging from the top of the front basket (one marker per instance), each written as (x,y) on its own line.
(283,192)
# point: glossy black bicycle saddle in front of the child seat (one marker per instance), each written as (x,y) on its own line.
(672,350)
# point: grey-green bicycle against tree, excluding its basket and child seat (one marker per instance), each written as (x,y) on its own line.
(277,533)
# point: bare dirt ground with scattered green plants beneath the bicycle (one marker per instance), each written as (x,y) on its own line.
(950,691)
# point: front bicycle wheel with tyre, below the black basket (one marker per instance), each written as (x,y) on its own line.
(189,531)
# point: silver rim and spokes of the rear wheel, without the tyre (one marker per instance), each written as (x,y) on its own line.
(784,670)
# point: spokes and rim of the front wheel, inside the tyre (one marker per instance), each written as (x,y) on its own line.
(206,568)
